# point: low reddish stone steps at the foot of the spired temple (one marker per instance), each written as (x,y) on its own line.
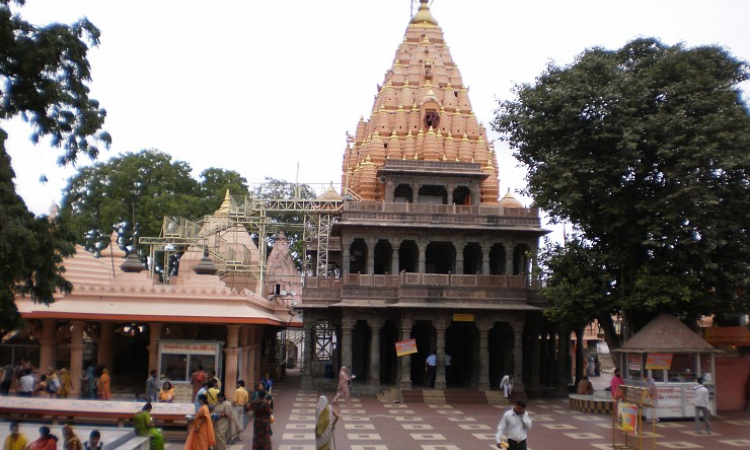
(442,397)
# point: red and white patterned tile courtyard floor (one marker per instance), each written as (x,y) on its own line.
(369,424)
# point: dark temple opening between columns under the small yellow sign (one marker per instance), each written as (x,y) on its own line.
(462,343)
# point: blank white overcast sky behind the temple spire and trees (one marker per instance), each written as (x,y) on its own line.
(261,86)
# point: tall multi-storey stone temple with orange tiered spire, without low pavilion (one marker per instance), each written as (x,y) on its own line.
(423,248)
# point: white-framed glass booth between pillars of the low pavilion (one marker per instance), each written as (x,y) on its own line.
(179,359)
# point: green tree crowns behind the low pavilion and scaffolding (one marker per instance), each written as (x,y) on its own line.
(132,193)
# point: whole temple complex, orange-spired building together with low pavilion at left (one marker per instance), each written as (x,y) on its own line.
(417,247)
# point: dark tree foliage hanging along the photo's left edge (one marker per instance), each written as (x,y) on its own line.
(44,73)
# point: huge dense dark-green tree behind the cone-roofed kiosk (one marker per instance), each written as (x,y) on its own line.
(645,151)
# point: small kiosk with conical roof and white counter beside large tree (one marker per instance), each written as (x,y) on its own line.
(675,356)
